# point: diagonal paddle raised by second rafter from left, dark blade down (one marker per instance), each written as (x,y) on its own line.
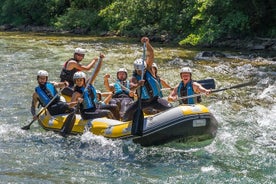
(71,118)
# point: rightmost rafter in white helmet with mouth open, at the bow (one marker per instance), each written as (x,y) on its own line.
(187,87)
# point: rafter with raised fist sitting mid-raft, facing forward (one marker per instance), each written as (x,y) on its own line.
(122,95)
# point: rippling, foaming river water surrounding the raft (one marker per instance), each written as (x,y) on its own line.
(244,150)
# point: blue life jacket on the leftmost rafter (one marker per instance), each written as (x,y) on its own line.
(42,94)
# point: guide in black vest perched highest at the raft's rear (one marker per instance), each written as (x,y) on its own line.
(73,65)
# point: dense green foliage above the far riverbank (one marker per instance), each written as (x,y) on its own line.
(187,21)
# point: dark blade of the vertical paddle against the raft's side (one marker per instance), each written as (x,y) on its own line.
(138,123)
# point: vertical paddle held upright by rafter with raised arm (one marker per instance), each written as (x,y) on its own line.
(138,117)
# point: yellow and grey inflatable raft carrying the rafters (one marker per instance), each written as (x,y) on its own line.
(176,123)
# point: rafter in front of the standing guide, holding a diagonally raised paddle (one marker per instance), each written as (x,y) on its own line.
(88,99)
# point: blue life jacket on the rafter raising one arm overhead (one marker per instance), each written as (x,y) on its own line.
(151,87)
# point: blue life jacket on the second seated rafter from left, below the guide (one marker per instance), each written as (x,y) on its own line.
(89,97)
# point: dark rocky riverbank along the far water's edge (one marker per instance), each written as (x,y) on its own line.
(250,44)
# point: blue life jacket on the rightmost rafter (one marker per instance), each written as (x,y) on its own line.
(186,91)
